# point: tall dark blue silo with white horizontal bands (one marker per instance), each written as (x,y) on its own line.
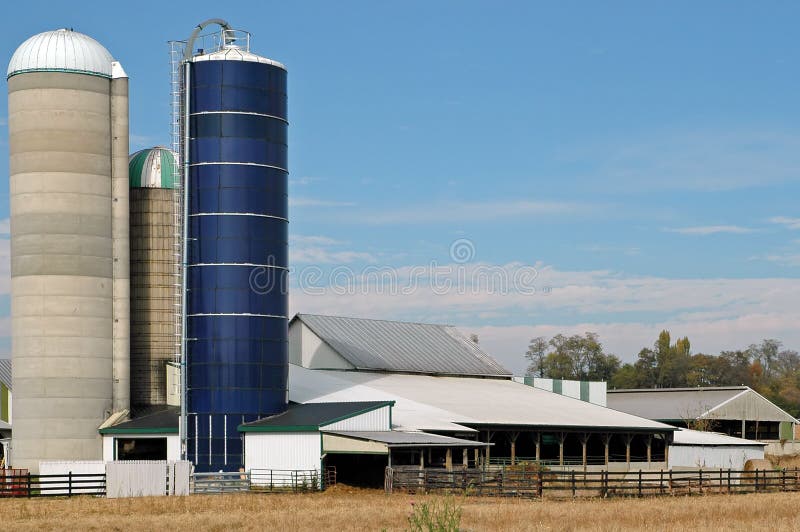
(236,249)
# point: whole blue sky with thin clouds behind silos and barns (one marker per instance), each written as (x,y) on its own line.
(642,160)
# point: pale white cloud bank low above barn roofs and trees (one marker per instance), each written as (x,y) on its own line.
(627,311)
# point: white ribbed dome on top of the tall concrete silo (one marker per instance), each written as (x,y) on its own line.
(63,50)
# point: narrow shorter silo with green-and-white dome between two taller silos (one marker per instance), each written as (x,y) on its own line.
(153,262)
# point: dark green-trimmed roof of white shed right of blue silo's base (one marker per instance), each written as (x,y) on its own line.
(310,417)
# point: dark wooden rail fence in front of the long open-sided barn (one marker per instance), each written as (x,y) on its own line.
(528,482)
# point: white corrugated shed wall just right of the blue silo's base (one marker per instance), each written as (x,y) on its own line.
(282,450)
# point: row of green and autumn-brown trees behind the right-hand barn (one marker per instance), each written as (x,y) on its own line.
(766,367)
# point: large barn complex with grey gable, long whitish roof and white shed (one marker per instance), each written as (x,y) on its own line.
(447,403)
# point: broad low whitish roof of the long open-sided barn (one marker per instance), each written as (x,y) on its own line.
(460,404)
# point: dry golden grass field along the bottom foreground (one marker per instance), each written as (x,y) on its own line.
(341,509)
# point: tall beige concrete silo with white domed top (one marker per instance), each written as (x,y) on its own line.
(68,134)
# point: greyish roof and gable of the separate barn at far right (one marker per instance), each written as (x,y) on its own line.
(681,404)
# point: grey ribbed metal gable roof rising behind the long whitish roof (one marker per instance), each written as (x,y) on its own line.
(402,347)
